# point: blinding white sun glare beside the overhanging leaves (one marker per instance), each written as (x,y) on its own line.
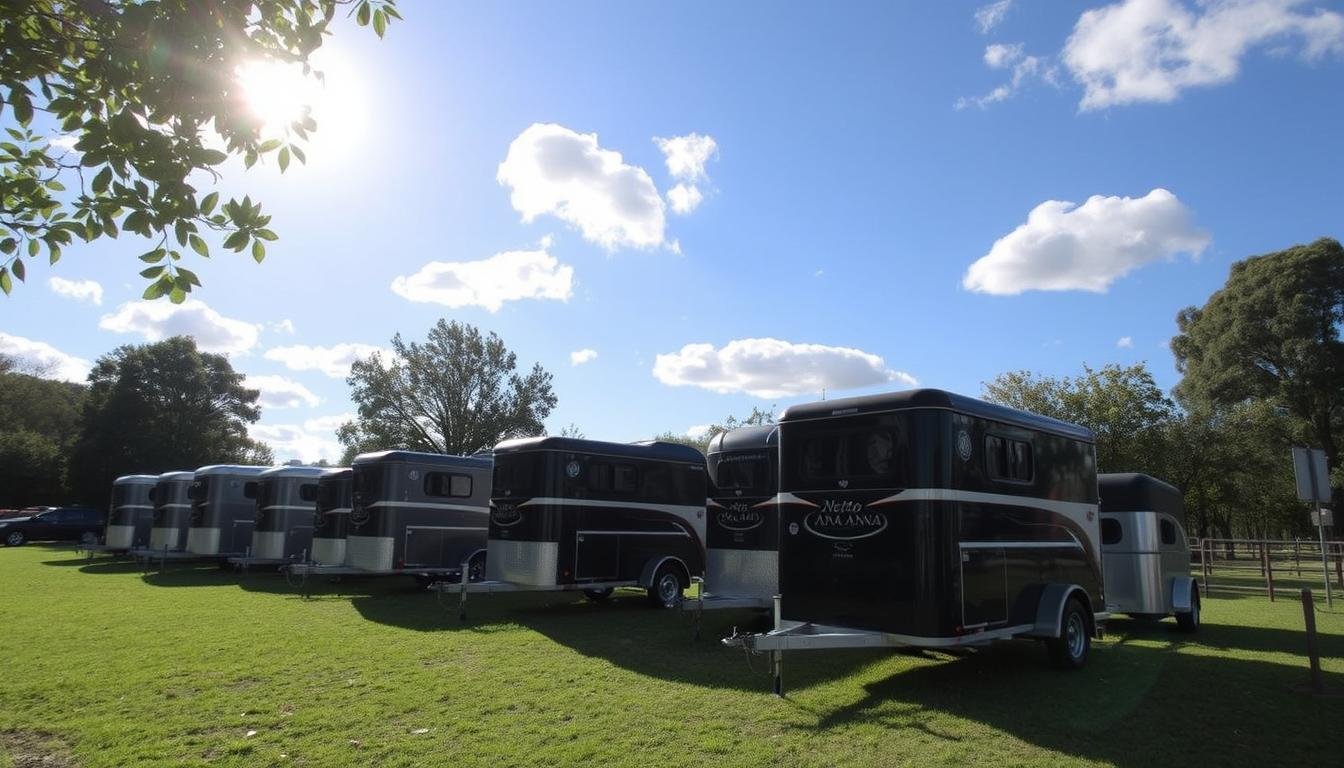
(279,92)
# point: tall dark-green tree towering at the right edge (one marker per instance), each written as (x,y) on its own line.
(1273,333)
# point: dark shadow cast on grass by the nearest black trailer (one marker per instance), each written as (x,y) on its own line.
(1135,704)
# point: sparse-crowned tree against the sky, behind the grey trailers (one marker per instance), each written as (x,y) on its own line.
(456,393)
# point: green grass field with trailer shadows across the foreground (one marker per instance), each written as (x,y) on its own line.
(104,666)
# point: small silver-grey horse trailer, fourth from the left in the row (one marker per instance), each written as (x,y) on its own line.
(287,500)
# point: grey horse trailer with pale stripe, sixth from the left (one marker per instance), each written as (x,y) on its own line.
(420,514)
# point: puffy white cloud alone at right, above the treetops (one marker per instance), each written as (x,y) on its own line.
(1087,248)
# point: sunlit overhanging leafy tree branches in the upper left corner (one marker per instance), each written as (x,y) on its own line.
(138,103)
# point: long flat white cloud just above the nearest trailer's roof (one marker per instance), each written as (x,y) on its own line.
(771,368)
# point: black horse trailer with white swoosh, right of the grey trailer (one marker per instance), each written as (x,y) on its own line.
(571,514)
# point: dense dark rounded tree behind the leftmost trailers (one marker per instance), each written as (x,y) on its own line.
(163,407)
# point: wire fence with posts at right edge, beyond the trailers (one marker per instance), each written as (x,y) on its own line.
(1271,568)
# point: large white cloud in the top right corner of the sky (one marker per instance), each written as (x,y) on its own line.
(1152,50)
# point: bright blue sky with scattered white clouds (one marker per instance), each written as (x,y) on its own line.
(886,194)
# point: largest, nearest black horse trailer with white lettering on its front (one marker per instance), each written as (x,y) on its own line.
(931,520)
